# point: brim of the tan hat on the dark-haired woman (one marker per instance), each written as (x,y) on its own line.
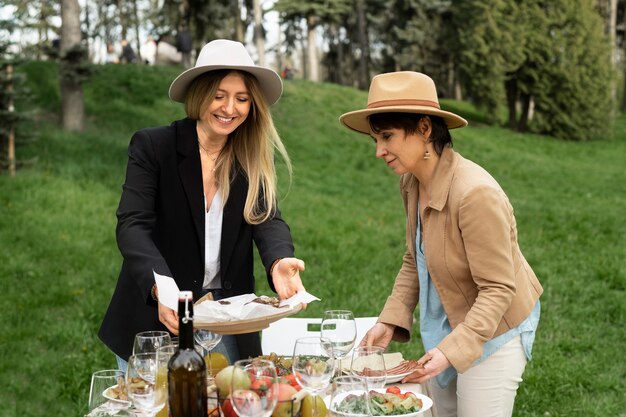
(357,120)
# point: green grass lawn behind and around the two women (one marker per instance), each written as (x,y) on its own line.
(59,260)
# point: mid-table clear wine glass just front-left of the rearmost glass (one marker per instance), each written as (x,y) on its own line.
(313,365)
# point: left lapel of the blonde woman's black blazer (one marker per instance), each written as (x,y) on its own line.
(190,172)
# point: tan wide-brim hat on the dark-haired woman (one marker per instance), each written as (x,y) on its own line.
(400,92)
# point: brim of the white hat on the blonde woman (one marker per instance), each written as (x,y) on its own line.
(269,81)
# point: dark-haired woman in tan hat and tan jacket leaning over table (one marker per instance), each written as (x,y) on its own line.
(478,297)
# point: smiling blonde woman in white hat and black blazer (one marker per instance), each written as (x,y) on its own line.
(197,194)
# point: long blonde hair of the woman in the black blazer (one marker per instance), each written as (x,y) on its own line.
(251,146)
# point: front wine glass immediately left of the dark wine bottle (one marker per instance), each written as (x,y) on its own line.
(146,395)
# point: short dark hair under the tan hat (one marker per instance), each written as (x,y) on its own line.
(408,122)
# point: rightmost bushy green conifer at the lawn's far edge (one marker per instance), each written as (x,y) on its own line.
(573,88)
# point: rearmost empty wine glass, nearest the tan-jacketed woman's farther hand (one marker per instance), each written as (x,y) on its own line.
(339,327)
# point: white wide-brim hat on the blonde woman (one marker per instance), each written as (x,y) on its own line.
(227,54)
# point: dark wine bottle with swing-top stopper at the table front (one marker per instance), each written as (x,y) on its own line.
(187,372)
